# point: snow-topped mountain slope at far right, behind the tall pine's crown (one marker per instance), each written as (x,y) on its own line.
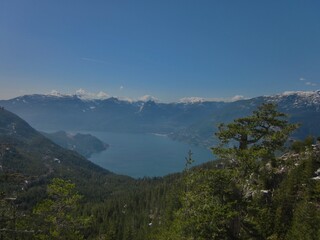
(301,107)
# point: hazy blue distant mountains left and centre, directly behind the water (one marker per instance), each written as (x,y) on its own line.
(47,113)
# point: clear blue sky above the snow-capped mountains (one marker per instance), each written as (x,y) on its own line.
(169,49)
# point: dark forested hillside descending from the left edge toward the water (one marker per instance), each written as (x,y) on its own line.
(29,160)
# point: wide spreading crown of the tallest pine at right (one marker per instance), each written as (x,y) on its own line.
(264,132)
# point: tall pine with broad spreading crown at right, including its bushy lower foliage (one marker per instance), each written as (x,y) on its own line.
(221,203)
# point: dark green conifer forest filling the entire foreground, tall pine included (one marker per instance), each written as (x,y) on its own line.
(264,185)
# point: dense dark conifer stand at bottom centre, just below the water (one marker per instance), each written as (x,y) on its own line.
(138,213)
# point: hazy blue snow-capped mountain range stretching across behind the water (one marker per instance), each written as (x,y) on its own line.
(187,121)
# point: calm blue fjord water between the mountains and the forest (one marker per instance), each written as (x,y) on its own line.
(139,155)
